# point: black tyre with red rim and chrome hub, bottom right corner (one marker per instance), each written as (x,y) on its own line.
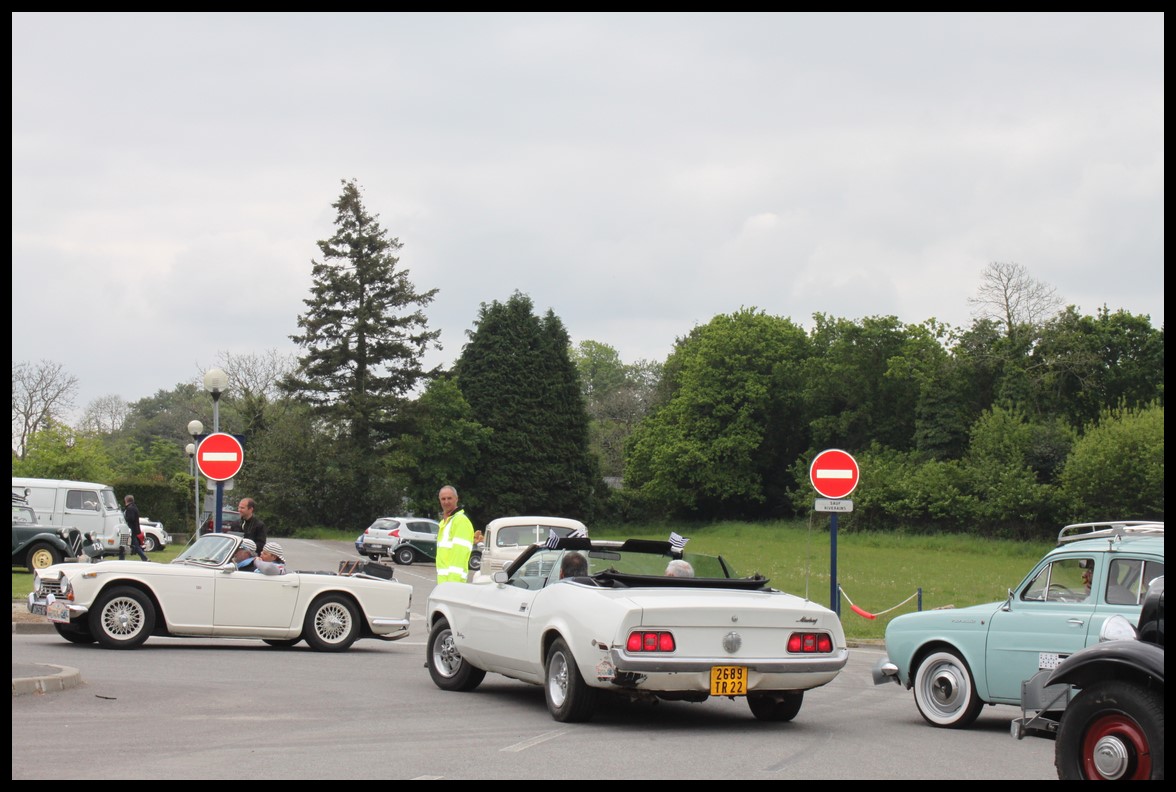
(1113,730)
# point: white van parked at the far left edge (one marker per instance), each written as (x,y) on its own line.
(84,505)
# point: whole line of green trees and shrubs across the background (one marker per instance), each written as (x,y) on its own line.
(1032,417)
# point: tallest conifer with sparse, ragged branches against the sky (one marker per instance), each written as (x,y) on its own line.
(365,336)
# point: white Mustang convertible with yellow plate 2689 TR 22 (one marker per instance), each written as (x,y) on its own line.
(622,625)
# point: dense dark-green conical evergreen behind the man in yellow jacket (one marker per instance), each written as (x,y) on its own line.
(519,380)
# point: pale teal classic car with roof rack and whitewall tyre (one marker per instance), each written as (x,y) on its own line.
(960,660)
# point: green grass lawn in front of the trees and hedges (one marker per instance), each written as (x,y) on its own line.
(880,574)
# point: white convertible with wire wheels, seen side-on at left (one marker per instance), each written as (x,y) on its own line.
(204,595)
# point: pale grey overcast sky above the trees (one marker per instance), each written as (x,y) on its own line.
(638,175)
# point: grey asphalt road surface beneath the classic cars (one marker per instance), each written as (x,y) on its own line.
(182,709)
